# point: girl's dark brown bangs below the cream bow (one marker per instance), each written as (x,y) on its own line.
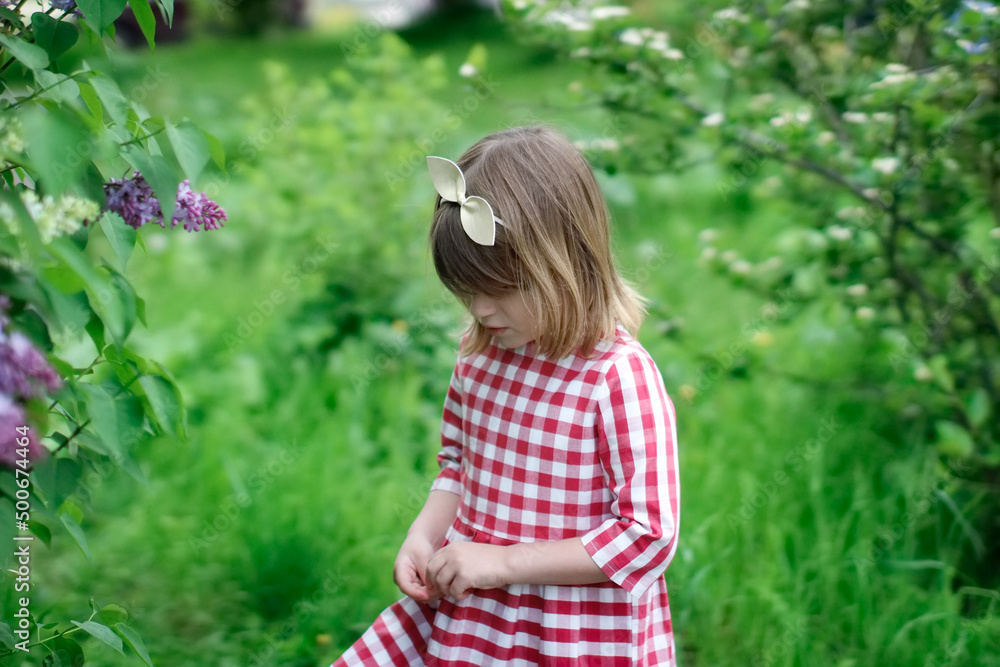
(464,266)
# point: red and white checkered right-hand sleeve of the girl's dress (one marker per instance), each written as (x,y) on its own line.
(637,442)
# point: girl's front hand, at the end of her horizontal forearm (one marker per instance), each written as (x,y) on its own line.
(462,566)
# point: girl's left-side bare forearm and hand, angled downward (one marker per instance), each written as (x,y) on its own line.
(424,538)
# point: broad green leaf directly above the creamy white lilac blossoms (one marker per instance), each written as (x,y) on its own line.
(58,146)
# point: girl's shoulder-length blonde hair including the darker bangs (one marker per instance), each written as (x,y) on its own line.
(553,246)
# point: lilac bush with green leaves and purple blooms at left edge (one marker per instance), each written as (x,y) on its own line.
(65,137)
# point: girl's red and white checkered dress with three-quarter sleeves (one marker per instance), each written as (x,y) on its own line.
(541,449)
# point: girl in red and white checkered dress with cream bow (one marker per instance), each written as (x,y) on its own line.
(546,534)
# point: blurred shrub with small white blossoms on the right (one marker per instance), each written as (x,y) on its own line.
(875,125)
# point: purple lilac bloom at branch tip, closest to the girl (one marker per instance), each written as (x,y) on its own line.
(133,199)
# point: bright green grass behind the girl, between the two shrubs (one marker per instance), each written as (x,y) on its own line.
(269,537)
